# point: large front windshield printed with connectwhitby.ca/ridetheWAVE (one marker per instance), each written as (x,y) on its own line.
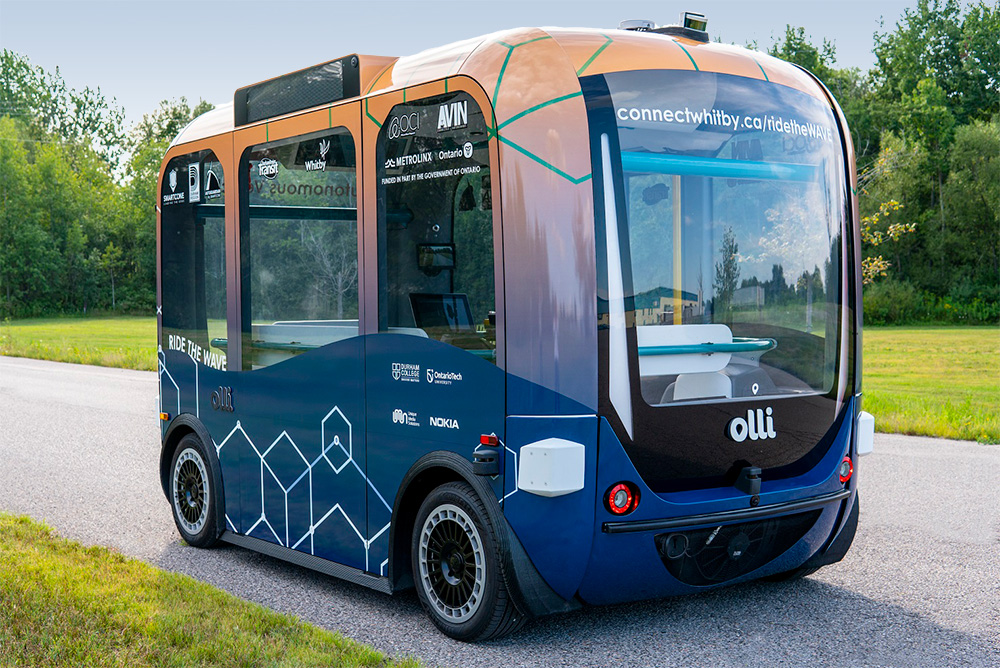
(734,198)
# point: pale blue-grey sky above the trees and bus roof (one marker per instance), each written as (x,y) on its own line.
(140,52)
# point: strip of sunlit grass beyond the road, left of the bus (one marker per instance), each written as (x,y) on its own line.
(126,342)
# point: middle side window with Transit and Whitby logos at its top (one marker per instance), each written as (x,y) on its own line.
(298,246)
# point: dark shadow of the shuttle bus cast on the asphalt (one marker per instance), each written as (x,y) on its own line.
(803,623)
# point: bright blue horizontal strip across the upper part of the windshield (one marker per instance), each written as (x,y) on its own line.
(685,165)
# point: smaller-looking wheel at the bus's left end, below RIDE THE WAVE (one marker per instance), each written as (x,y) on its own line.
(193,495)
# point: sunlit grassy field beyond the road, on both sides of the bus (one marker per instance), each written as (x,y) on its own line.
(929,381)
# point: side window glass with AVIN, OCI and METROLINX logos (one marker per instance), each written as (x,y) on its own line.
(435,224)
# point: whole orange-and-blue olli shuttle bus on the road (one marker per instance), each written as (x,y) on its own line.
(539,319)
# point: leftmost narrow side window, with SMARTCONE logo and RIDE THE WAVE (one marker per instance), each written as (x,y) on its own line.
(193,239)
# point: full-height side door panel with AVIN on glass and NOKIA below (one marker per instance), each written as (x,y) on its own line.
(434,371)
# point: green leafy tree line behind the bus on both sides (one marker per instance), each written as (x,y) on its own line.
(77,189)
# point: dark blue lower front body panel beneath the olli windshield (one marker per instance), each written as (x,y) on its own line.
(633,565)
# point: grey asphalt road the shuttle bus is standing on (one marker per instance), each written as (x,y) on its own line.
(921,586)
